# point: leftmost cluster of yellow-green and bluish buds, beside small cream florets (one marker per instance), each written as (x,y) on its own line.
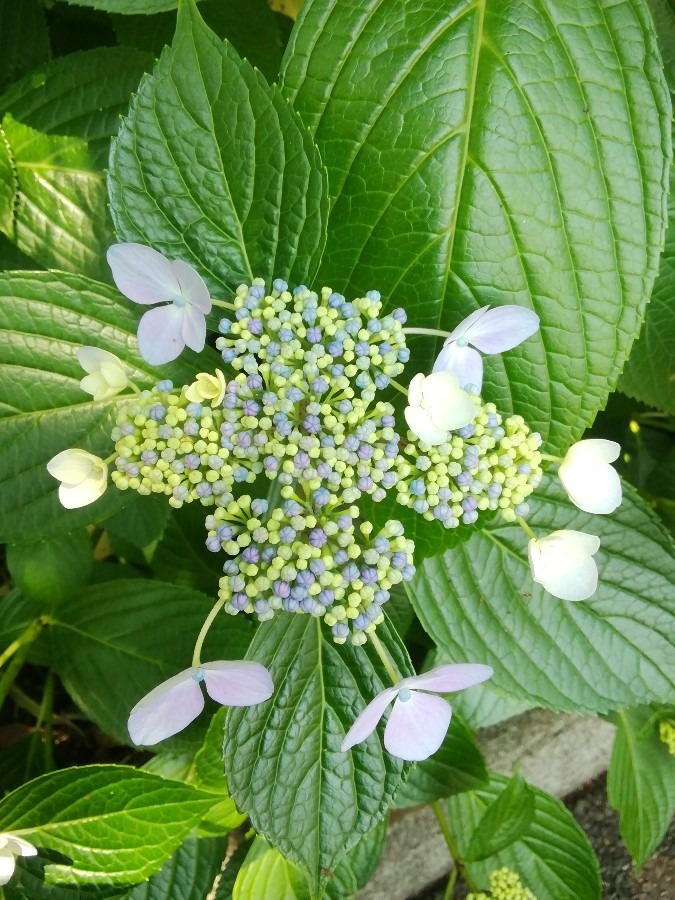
(167,445)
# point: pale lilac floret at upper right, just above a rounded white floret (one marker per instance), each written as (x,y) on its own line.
(488,330)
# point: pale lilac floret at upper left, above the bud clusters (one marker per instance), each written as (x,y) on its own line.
(145,276)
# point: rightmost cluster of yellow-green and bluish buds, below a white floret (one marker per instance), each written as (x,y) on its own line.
(486,465)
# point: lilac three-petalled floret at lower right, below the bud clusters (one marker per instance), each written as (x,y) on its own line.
(419,720)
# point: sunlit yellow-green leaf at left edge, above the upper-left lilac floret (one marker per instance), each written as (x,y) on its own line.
(60,216)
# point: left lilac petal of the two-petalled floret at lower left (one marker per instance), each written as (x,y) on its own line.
(167,709)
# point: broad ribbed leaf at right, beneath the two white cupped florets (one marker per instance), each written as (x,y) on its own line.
(479,604)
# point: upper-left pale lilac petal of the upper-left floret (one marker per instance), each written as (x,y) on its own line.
(142,274)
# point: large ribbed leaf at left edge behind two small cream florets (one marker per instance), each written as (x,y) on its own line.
(44,318)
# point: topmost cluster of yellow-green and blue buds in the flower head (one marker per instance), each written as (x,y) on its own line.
(313,342)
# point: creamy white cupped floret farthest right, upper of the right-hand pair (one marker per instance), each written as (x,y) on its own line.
(591,482)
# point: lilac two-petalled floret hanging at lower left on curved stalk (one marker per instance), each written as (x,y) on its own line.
(176,702)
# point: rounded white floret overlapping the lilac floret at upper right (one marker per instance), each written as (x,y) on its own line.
(438,405)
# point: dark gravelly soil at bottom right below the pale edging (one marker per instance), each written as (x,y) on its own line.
(655,881)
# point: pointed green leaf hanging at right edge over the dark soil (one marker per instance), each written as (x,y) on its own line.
(641,782)
